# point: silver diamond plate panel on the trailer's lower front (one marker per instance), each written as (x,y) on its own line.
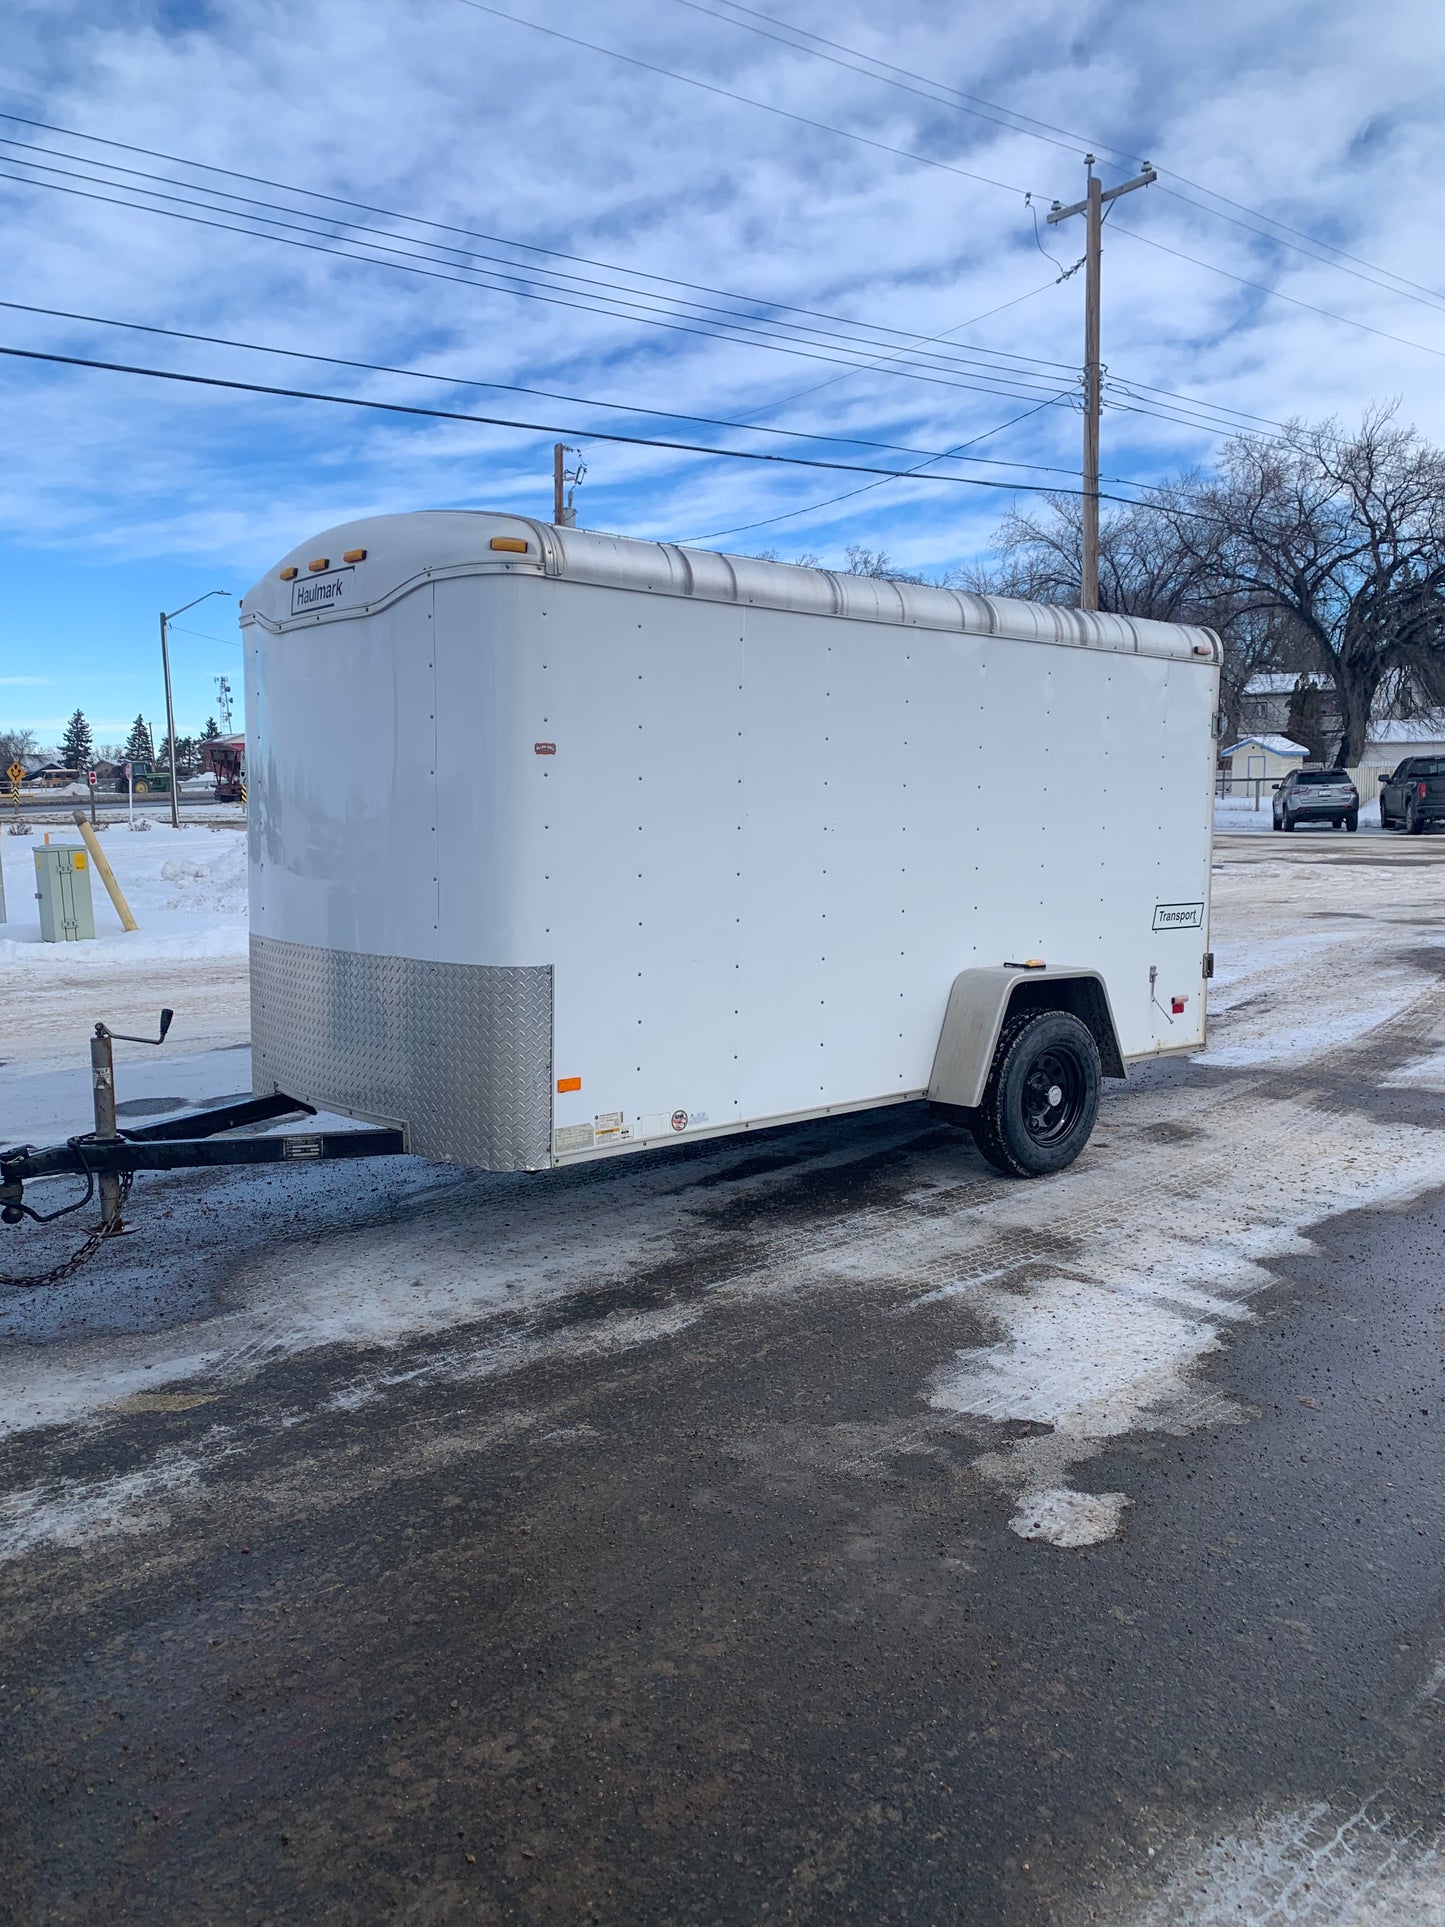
(460,1053)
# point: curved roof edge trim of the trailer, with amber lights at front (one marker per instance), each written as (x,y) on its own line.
(404,550)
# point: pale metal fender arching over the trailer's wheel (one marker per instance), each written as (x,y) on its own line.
(978,1007)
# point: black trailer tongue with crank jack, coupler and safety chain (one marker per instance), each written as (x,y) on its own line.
(109,1159)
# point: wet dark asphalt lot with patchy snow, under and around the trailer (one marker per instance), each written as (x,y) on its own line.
(802,1529)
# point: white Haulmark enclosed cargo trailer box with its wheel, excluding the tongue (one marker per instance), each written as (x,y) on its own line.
(565,845)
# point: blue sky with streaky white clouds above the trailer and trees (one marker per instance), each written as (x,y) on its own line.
(122,496)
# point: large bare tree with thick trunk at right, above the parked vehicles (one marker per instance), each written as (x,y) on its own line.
(1344,535)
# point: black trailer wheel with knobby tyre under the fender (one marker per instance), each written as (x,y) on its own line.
(1041,1097)
